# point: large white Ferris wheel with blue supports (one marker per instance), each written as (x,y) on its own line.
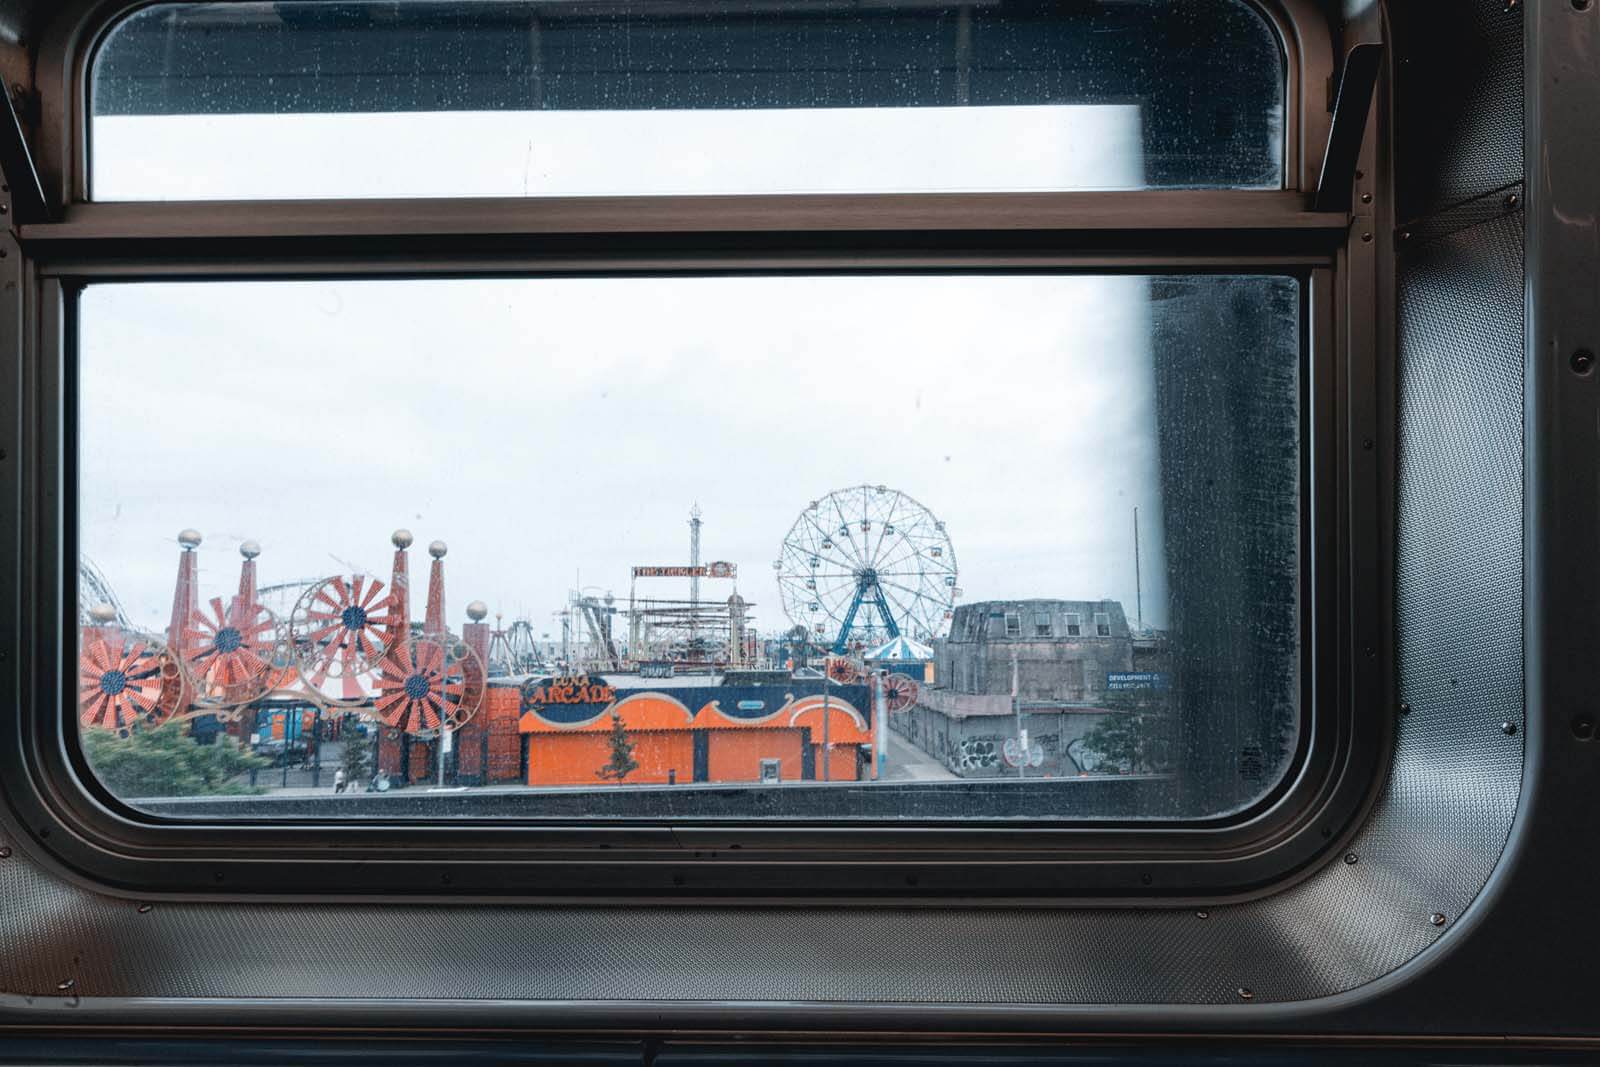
(868,564)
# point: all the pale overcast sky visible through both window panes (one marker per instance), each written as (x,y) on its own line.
(556,433)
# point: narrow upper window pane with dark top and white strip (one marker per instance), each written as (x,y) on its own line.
(228,102)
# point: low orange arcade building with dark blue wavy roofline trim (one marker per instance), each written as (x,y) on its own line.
(686,730)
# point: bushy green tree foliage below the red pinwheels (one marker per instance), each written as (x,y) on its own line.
(169,762)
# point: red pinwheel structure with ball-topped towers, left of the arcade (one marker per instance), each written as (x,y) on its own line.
(346,647)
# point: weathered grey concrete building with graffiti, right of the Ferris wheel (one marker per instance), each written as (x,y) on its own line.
(1078,661)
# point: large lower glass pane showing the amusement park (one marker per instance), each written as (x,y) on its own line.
(892,546)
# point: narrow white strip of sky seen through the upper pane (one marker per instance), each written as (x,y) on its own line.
(617,153)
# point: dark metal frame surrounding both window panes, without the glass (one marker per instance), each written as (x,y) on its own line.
(52,801)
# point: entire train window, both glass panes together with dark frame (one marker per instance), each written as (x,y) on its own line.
(513,414)
